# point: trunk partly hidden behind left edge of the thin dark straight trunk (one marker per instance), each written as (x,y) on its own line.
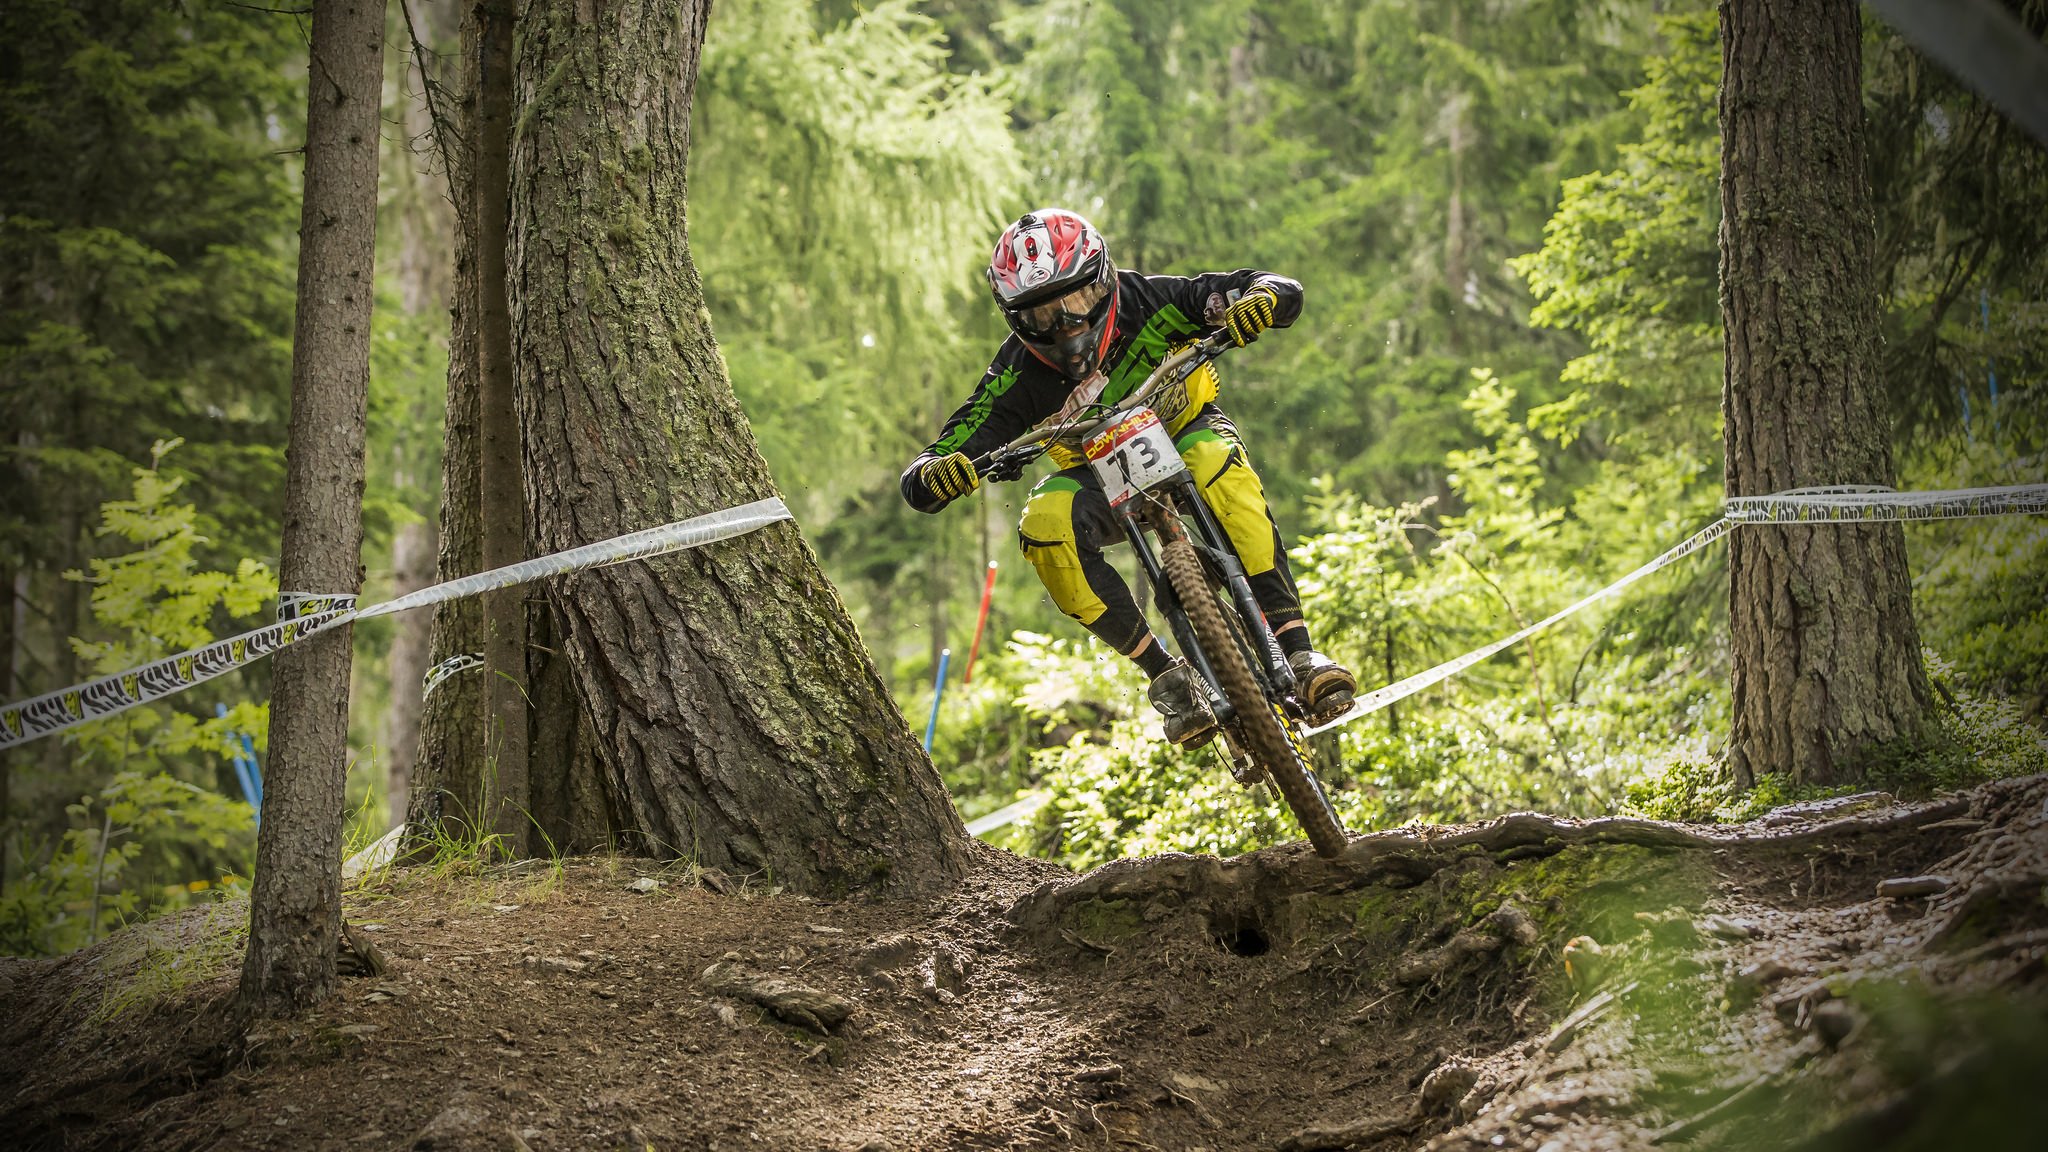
(447,780)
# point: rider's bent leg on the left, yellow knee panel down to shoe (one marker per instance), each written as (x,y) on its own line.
(1066,526)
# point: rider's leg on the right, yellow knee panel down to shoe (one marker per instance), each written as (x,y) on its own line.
(1234,493)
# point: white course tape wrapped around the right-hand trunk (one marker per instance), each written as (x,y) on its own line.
(1795,507)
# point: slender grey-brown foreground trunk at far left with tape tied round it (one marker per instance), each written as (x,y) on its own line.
(296,903)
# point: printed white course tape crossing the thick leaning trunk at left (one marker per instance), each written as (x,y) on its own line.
(110,696)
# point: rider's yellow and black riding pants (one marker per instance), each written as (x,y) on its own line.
(1068,524)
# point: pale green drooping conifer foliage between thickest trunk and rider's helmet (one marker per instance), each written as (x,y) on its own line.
(853,186)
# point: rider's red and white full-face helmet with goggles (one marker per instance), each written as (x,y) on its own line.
(1054,280)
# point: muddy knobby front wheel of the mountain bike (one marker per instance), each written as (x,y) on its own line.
(1263,729)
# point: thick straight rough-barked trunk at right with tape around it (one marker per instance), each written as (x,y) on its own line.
(1822,622)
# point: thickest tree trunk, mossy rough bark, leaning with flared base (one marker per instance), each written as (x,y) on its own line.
(736,710)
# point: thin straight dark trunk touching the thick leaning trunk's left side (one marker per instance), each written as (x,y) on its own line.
(503,485)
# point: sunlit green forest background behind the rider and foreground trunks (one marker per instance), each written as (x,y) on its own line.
(1504,390)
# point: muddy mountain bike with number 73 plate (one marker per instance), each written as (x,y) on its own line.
(1201,583)
